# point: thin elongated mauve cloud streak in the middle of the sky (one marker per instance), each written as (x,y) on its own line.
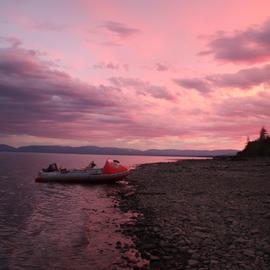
(143,88)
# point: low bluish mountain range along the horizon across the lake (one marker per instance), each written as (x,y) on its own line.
(115,151)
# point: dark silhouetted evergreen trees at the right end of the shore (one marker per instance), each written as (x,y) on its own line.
(259,147)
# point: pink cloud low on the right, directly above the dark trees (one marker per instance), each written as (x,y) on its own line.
(235,118)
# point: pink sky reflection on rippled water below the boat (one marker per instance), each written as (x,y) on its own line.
(66,226)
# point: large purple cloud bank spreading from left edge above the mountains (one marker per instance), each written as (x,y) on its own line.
(37,100)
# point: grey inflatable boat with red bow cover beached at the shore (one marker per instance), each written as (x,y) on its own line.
(111,172)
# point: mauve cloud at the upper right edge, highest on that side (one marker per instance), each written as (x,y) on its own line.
(249,46)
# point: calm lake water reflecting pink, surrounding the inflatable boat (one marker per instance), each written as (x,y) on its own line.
(58,226)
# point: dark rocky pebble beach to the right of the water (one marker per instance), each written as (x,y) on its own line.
(200,214)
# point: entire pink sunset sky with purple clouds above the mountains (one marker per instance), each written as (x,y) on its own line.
(134,73)
